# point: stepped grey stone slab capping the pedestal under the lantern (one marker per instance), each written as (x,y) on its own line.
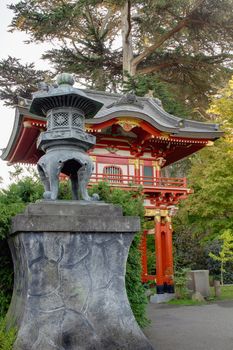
(74,217)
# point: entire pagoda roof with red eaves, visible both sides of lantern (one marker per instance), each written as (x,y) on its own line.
(148,111)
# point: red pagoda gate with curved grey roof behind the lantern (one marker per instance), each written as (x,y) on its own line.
(135,139)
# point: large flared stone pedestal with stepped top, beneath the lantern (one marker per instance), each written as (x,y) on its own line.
(69,290)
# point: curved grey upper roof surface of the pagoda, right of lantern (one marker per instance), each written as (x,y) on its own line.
(150,110)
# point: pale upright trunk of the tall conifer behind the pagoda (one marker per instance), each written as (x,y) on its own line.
(126,40)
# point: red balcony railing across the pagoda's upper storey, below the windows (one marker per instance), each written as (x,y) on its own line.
(145,181)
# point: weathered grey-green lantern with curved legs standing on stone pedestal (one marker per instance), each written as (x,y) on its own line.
(65,141)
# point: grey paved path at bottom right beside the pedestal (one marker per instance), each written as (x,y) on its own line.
(202,327)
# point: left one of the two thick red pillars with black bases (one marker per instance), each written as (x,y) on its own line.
(159,257)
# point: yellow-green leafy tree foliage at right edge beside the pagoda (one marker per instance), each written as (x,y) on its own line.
(209,211)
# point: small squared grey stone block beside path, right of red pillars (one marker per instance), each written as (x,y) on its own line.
(199,282)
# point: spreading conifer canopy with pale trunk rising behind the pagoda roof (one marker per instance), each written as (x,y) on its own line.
(186,44)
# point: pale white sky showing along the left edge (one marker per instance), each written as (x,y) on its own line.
(12,44)
